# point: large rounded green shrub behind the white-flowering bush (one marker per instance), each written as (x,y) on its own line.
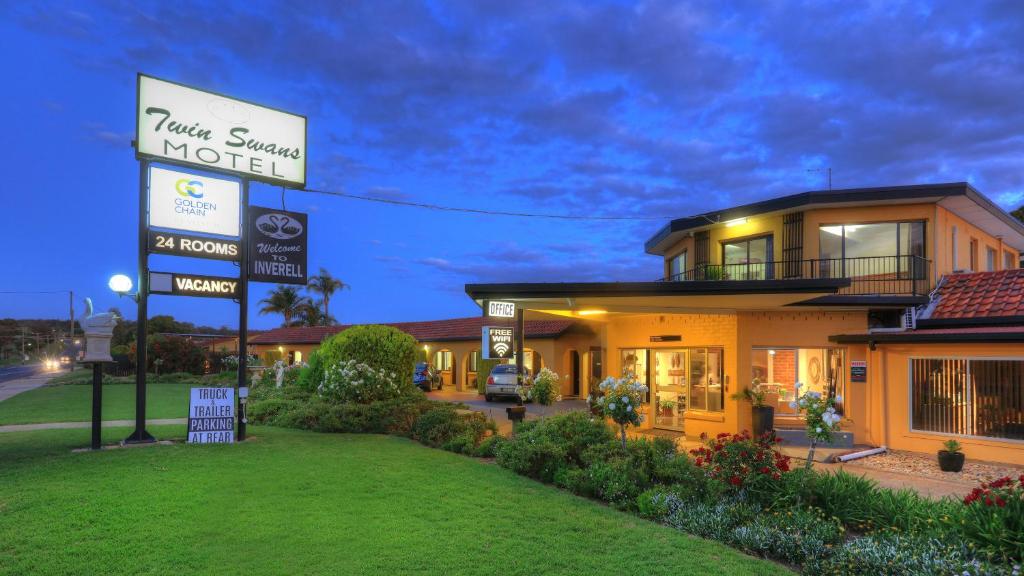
(381,348)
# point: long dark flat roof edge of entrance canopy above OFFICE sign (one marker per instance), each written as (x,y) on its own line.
(697,289)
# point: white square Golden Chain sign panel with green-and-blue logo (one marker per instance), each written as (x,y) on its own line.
(188,202)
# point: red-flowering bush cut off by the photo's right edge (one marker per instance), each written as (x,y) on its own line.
(994,517)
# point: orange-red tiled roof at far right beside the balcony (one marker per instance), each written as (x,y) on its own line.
(982,295)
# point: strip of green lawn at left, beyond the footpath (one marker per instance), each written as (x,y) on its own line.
(73,403)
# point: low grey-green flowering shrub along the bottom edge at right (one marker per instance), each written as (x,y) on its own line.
(900,555)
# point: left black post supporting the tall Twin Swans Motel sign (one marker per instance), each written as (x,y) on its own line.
(141,436)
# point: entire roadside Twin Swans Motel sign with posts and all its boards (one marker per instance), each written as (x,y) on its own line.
(196,203)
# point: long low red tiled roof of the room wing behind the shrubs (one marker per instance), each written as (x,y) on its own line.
(430,332)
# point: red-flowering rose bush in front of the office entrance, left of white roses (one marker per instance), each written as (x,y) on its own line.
(742,462)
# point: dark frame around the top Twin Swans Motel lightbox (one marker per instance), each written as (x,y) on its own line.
(295,185)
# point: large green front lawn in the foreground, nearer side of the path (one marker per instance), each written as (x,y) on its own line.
(295,503)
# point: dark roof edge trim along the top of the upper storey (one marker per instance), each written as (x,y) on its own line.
(909,193)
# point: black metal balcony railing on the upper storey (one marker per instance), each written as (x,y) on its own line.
(870,275)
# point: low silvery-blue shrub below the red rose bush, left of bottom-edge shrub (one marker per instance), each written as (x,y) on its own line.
(793,537)
